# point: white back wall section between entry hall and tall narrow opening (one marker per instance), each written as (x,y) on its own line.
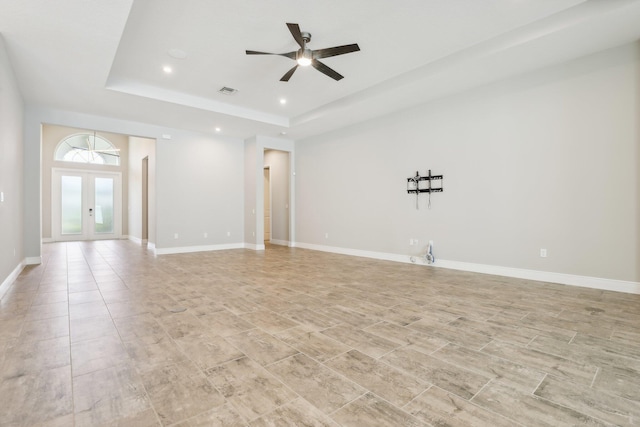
(199,188)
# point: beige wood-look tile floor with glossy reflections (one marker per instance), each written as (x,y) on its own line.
(104,333)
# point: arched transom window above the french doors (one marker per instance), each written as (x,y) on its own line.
(87,148)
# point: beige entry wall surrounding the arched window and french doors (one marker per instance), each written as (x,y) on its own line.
(51,136)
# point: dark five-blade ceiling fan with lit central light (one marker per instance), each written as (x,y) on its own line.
(305,56)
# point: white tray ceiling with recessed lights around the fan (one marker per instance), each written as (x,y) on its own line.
(106,56)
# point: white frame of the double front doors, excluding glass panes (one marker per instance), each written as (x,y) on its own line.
(87,203)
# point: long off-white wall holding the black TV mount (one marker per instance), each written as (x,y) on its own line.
(548,160)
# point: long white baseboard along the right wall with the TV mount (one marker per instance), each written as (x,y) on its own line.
(540,276)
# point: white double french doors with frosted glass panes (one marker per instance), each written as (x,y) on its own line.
(86,205)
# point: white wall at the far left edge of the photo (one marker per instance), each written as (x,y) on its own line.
(11,173)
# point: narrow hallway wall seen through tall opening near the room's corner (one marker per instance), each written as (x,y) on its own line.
(278,163)
